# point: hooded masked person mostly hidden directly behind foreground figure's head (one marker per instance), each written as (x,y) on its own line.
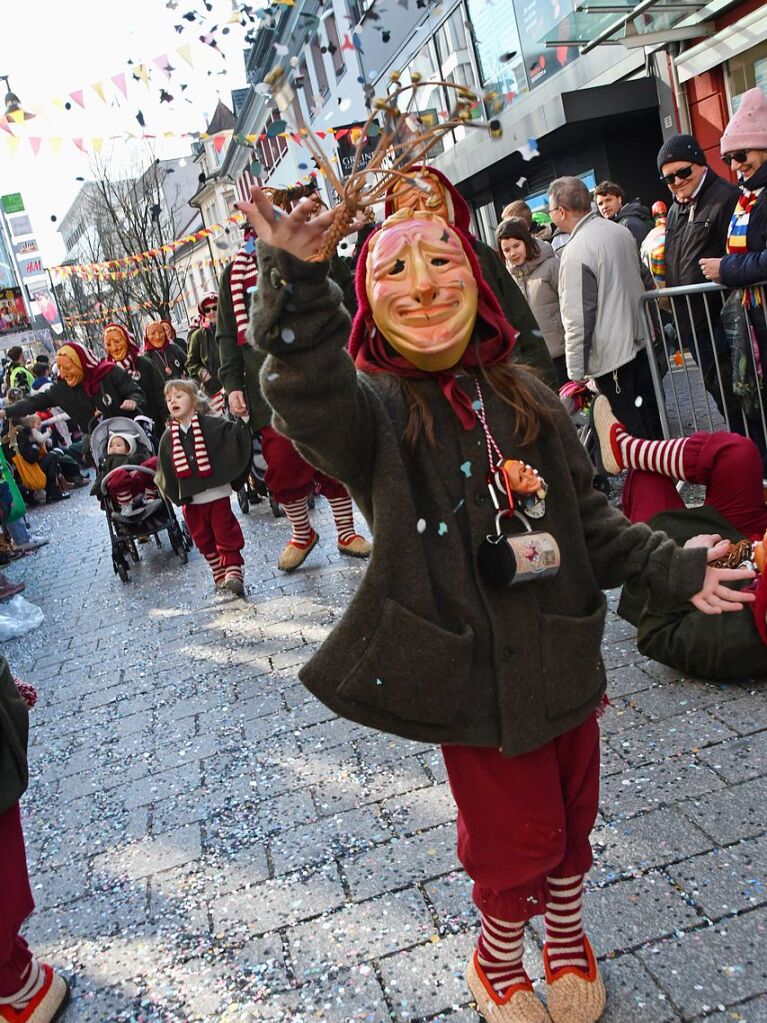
(440,197)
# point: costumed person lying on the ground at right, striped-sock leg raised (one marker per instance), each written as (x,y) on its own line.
(732,522)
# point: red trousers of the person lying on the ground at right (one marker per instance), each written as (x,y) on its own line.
(729,465)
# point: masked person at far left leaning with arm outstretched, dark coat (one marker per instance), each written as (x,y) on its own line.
(88,390)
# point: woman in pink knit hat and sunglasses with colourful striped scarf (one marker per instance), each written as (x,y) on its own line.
(744,148)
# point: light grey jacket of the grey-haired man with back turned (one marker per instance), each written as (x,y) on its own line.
(601,287)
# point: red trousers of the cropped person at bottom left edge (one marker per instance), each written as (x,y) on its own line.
(16,903)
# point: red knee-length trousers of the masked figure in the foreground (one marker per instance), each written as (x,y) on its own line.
(524,819)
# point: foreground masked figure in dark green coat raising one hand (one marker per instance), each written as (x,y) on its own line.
(423,414)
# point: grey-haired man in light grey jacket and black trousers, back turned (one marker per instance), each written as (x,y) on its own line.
(600,291)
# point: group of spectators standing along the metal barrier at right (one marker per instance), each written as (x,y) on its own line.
(584,282)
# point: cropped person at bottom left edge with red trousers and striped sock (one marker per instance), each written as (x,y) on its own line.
(30,992)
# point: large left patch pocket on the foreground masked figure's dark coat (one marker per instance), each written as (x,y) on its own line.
(412,669)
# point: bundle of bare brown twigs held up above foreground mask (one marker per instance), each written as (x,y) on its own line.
(402,142)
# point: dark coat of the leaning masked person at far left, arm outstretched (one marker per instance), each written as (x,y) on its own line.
(116,388)
